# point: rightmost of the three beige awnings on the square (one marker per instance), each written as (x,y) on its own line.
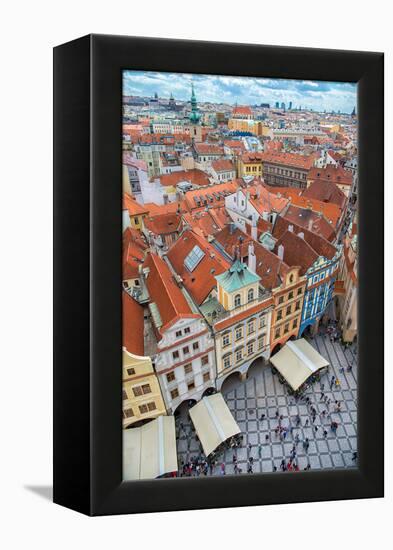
(297,361)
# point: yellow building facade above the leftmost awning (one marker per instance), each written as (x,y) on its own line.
(142,398)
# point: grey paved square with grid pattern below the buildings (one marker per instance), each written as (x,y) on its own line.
(262,393)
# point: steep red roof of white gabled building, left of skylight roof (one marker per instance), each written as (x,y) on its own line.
(164,292)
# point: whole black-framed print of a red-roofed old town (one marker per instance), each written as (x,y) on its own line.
(218,275)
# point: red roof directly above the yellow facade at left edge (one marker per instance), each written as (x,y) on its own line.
(133,325)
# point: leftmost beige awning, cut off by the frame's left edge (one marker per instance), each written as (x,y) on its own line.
(150,451)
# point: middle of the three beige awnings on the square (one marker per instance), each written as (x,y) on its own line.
(213,422)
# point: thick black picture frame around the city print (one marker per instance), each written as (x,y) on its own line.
(87,271)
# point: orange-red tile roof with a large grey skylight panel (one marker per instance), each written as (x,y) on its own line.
(201,281)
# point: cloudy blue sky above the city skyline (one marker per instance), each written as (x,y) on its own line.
(317,95)
